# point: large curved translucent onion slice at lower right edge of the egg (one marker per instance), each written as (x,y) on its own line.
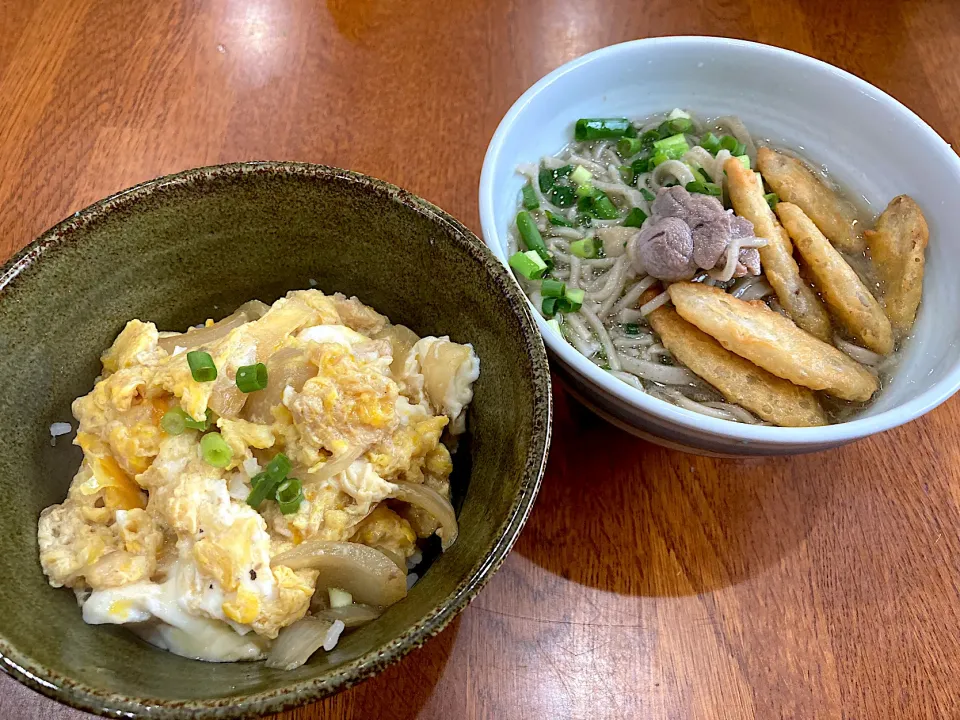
(367,574)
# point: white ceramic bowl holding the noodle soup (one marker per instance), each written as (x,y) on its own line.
(871,144)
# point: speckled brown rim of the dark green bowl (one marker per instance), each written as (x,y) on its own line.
(90,699)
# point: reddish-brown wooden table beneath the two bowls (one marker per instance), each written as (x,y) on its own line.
(648,583)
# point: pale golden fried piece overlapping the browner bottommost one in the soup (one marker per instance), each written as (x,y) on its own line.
(765,338)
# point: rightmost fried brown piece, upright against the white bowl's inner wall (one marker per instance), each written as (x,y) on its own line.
(897,248)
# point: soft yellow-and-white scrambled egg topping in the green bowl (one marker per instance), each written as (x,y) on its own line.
(152,534)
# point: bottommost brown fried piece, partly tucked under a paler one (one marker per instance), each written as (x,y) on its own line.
(738,380)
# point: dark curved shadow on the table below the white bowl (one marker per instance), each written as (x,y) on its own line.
(638,519)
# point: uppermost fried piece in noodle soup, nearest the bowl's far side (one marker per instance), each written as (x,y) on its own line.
(796,184)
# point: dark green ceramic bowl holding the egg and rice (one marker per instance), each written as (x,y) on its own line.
(186,247)
